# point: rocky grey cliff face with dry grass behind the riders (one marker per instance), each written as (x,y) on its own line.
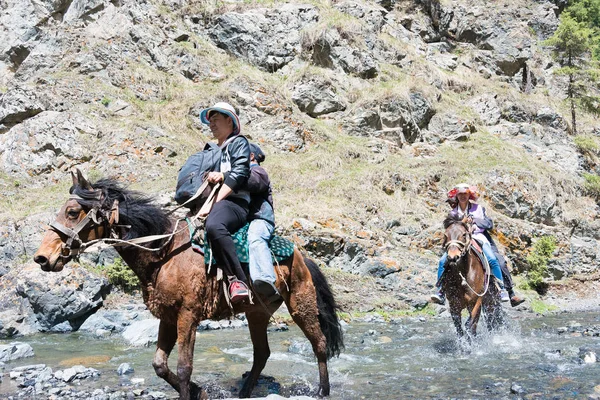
(369,113)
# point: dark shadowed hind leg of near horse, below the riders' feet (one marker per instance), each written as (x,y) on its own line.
(257,324)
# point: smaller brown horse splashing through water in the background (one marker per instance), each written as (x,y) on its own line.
(465,282)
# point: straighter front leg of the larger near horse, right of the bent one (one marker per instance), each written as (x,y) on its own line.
(186,338)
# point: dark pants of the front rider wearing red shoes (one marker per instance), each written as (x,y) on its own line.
(225,218)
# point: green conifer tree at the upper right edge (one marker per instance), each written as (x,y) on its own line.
(572,47)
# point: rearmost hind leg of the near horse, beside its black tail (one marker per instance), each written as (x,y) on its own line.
(303,308)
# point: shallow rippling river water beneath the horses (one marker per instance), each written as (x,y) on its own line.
(408,358)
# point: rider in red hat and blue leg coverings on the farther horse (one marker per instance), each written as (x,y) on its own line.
(462,198)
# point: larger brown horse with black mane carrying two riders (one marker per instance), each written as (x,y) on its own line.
(176,286)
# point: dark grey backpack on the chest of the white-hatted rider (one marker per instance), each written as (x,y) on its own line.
(191,175)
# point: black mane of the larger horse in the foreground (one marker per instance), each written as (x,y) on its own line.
(135,209)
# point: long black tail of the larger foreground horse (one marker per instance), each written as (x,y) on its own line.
(328,319)
